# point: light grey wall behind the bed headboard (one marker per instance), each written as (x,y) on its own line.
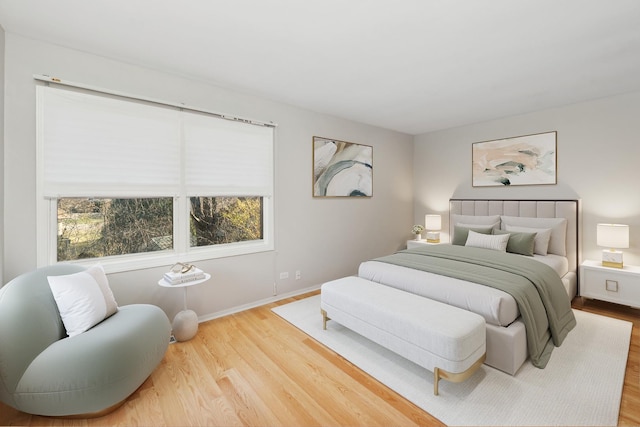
(598,161)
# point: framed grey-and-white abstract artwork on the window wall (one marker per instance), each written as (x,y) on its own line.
(342,169)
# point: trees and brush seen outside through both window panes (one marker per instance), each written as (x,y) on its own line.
(96,228)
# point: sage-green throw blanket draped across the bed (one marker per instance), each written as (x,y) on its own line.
(543,302)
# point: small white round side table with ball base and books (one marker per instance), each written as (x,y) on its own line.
(182,275)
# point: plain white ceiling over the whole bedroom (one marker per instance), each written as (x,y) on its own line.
(413,66)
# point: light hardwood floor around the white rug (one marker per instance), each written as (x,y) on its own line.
(254,369)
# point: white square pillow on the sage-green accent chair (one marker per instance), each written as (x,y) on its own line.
(84,299)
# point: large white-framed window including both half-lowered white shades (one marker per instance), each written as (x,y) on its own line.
(136,183)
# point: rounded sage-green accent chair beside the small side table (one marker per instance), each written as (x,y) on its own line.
(44,372)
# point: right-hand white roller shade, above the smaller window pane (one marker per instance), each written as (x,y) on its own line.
(224,157)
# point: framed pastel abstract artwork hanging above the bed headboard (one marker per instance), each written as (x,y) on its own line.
(521,160)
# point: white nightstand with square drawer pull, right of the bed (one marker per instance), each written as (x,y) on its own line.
(618,285)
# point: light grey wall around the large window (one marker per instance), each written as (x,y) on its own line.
(323,238)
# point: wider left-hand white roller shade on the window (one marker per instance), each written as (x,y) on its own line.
(104,146)
